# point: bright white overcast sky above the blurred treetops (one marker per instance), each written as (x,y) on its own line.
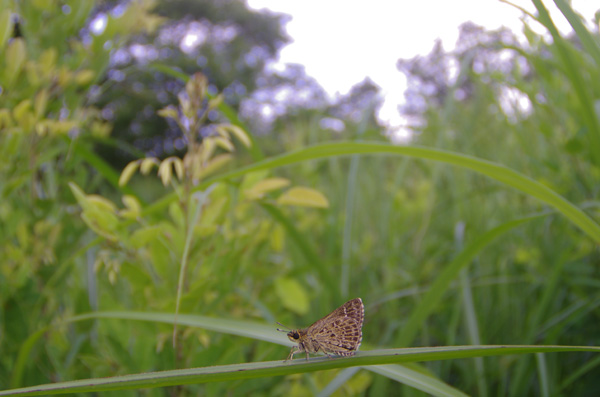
(341,42)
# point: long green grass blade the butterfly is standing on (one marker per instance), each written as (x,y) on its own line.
(228,373)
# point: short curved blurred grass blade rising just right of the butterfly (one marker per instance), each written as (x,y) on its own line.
(440,285)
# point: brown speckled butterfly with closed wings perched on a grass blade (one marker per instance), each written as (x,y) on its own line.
(338,333)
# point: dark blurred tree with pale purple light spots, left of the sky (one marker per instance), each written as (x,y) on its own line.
(227,41)
